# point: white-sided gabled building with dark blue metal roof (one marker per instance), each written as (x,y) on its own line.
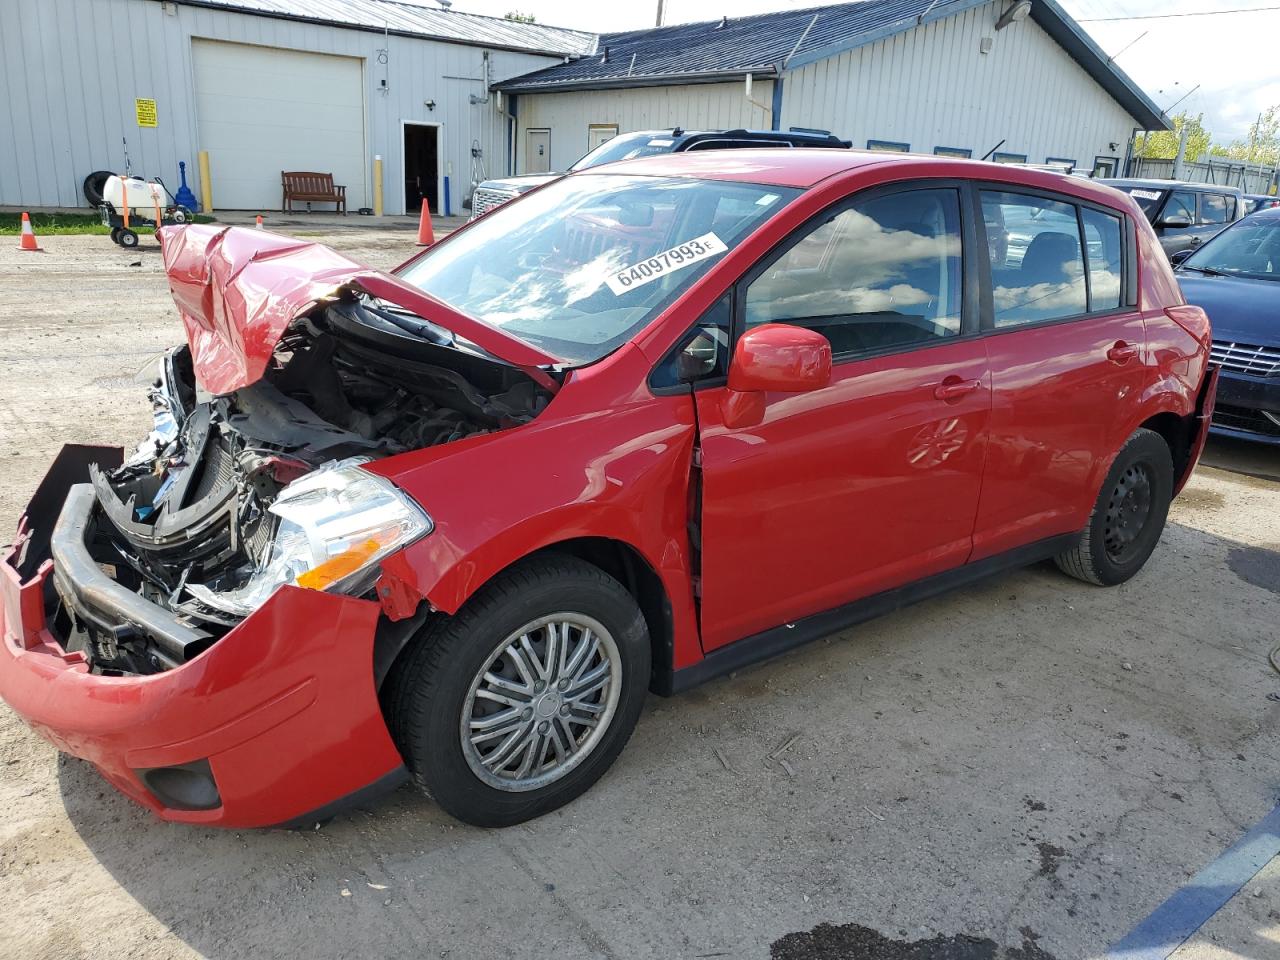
(1018,80)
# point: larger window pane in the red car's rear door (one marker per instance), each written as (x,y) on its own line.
(1037,267)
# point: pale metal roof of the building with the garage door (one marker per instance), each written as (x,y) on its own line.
(415,21)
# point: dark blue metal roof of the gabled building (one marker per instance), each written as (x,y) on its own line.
(766,44)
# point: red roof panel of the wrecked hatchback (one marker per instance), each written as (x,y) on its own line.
(806,167)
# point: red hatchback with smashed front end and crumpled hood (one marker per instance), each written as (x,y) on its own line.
(643,427)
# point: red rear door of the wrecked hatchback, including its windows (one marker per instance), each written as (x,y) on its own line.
(1068,362)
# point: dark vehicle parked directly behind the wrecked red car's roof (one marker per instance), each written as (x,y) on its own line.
(629,147)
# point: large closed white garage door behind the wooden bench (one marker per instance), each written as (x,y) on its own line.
(263,111)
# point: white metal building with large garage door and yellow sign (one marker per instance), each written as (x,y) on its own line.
(264,86)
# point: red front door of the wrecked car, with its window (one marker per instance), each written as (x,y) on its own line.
(874,481)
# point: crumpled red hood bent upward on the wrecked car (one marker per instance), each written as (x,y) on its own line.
(239,290)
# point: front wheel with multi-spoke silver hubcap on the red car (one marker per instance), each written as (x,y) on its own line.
(436,700)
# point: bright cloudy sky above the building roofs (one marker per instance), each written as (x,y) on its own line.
(1232,57)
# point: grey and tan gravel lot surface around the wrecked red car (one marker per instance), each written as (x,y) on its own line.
(1023,770)
